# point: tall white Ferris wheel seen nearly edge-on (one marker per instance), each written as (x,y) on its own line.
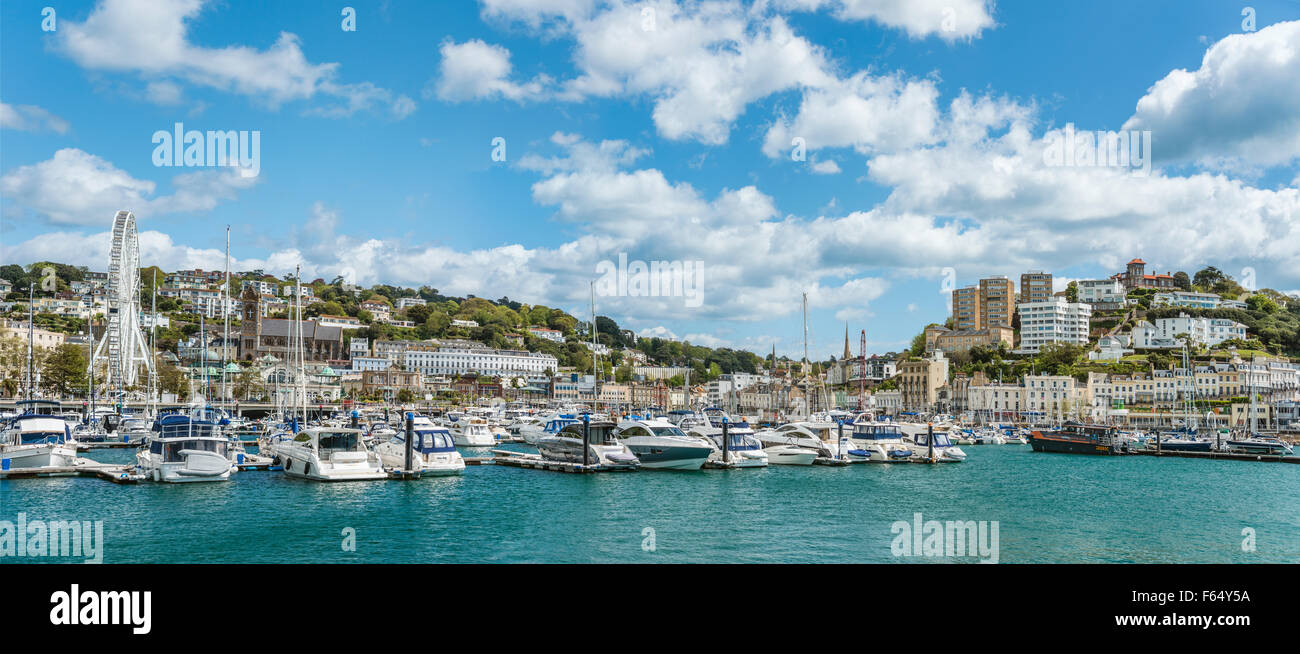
(124,348)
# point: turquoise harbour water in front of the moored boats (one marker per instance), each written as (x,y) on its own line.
(1051,509)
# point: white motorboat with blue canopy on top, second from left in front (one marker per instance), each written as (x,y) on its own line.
(185,449)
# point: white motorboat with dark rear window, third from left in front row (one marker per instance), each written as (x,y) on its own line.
(330,454)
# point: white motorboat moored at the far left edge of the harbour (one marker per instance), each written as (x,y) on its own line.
(37,439)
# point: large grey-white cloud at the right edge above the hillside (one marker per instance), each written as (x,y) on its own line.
(1242,107)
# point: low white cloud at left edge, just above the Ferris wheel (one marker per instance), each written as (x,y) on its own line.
(76,188)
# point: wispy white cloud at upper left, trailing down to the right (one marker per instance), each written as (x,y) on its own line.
(151,40)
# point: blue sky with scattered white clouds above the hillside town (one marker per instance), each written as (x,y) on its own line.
(666,142)
